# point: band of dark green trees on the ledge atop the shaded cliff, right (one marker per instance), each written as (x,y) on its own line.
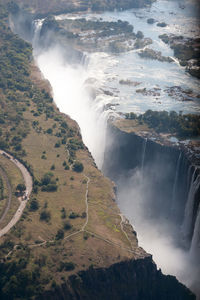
(169,122)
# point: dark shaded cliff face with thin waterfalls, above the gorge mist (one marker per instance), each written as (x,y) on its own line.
(173,181)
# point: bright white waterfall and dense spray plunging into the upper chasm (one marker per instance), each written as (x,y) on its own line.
(76,91)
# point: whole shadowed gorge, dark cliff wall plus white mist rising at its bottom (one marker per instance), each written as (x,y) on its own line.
(158,190)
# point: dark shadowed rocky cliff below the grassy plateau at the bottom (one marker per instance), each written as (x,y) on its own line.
(133,279)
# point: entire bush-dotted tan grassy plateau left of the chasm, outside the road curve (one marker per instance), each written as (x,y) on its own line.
(27,112)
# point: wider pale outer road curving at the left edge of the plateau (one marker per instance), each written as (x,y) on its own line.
(28,183)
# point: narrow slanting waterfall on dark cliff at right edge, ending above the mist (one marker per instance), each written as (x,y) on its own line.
(187,226)
